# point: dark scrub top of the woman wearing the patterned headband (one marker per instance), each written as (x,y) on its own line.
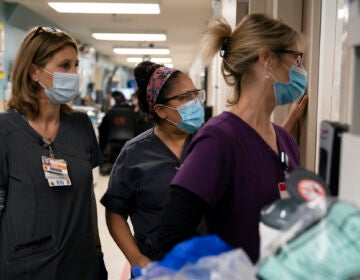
(139,184)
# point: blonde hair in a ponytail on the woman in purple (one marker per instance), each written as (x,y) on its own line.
(240,48)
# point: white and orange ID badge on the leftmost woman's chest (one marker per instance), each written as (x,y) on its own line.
(56,172)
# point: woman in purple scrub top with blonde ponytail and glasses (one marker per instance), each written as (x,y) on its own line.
(237,162)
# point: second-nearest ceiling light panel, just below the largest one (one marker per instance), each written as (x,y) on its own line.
(129,36)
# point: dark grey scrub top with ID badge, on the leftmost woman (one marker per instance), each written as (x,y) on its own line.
(47,232)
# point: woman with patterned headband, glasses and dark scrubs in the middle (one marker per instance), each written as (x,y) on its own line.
(141,176)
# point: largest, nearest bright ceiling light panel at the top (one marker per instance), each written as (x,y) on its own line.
(105,8)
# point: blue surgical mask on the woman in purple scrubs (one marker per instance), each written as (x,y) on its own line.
(286,93)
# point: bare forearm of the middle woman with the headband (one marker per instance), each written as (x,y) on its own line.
(120,231)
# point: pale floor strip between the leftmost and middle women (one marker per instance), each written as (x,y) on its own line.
(115,262)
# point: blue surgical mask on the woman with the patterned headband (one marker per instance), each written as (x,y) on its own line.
(192,116)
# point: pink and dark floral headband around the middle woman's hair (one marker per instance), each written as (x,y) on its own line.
(156,82)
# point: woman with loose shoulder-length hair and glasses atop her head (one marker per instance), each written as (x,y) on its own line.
(48,225)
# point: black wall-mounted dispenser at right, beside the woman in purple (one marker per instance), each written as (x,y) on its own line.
(329,160)
